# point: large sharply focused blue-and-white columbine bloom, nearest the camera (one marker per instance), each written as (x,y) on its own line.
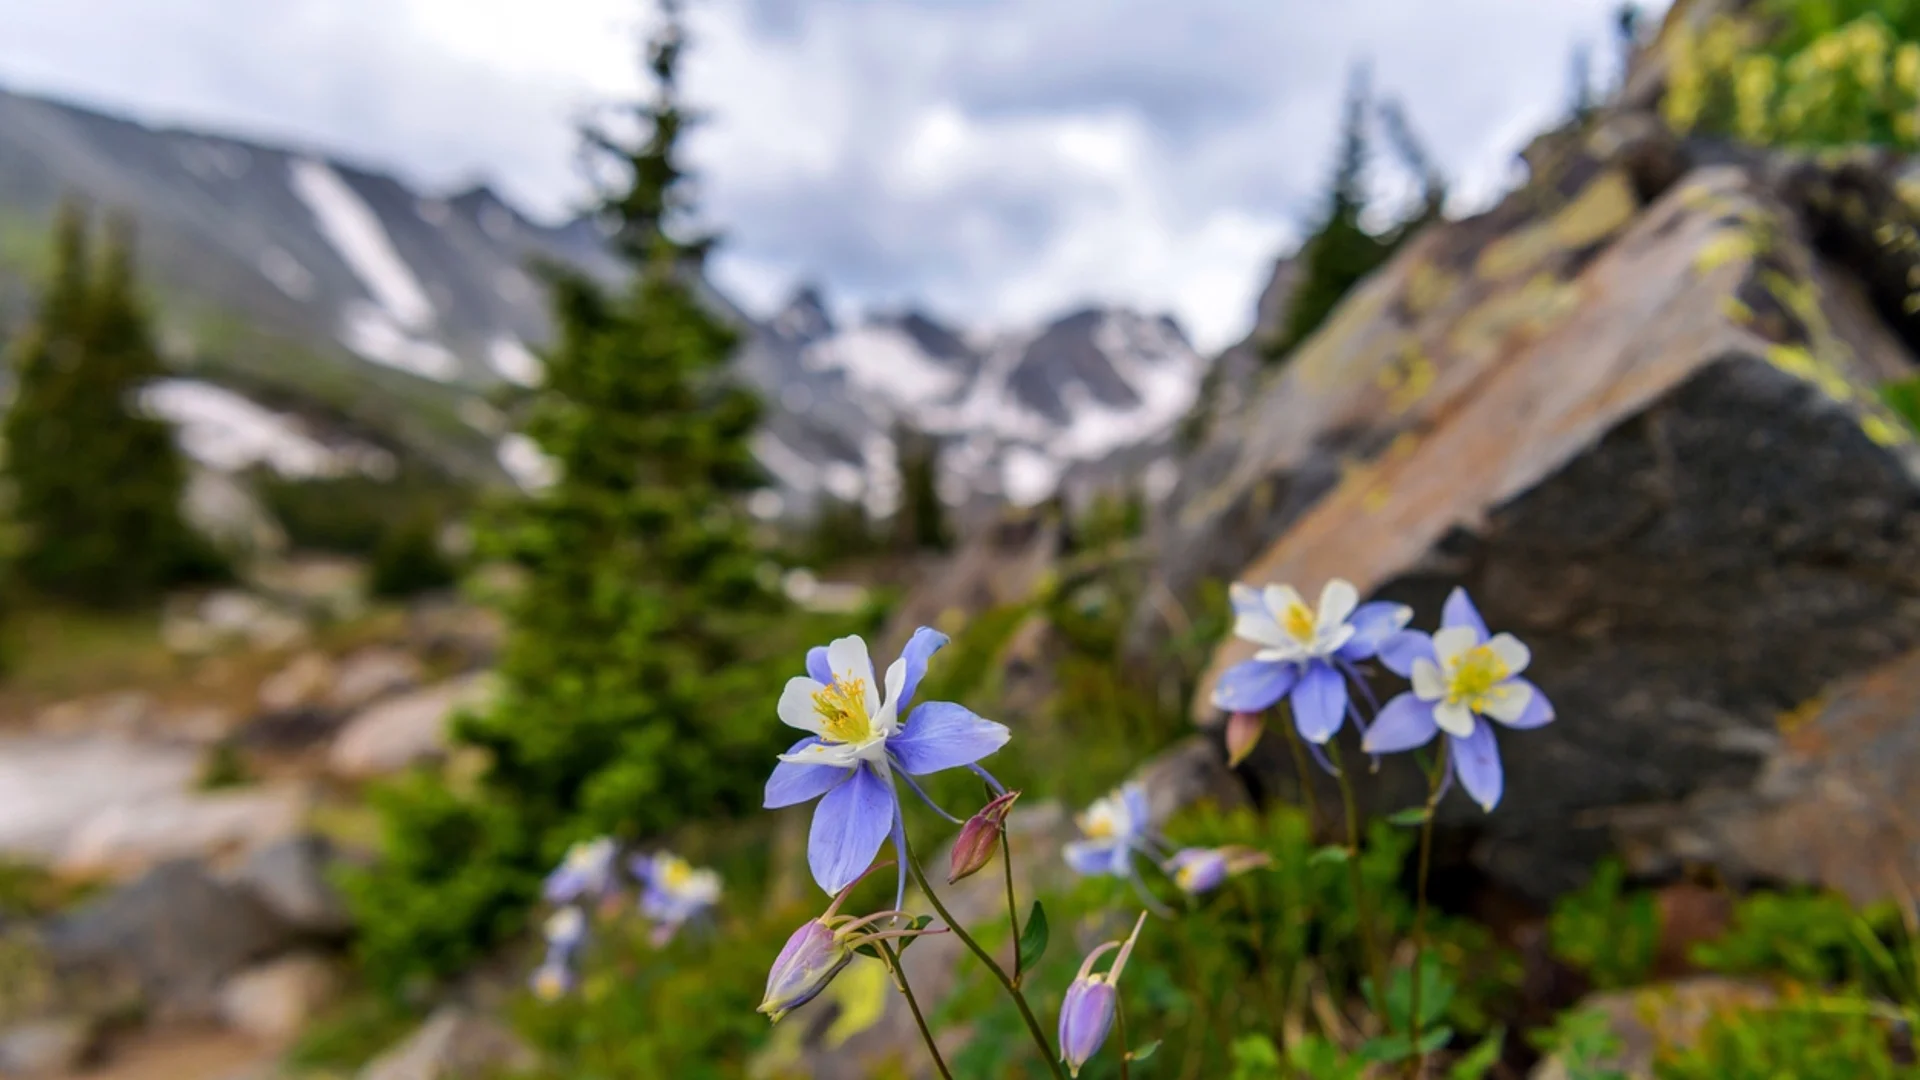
(857,743)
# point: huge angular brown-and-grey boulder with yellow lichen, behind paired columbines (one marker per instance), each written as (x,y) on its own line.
(1644,437)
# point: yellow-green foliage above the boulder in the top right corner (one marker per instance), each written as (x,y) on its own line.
(1804,74)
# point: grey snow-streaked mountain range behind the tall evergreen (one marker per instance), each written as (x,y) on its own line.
(329,316)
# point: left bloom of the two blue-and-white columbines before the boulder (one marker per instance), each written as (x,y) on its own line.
(1305,654)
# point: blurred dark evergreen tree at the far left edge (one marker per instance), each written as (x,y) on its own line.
(97,483)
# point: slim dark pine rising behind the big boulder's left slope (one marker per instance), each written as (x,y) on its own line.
(1341,253)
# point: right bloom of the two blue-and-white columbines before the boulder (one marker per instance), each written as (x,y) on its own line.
(1462,677)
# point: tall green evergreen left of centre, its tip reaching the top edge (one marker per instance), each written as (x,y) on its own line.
(642,670)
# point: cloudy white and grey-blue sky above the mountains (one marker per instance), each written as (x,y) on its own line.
(990,160)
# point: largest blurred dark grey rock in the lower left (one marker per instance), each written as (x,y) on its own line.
(178,935)
